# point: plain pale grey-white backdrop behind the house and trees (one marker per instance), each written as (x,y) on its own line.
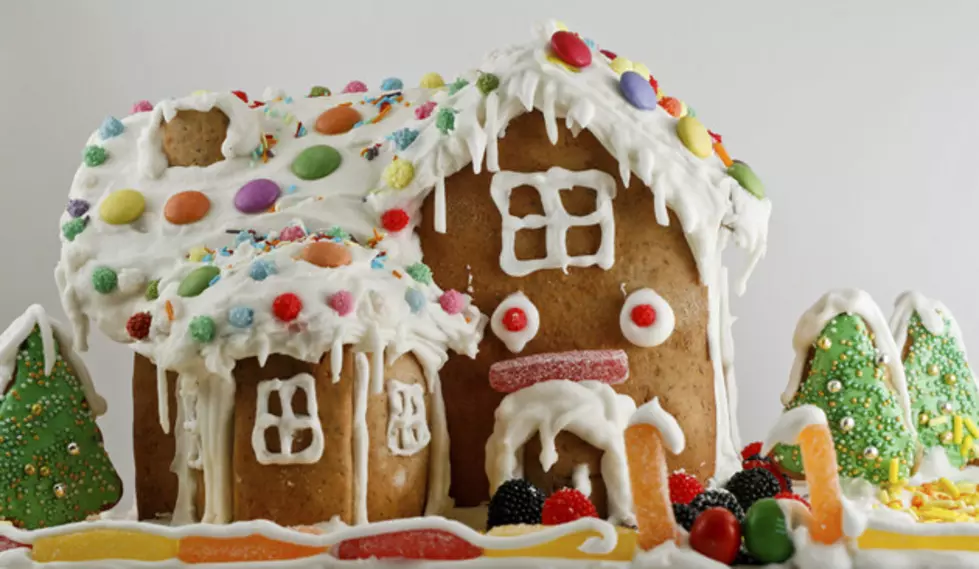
(861,118)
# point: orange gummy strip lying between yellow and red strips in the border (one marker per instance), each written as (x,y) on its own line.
(196,549)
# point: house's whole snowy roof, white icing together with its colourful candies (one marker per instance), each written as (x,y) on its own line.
(354,168)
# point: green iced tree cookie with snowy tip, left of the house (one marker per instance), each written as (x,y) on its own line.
(53,467)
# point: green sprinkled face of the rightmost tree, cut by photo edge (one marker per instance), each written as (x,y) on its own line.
(942,390)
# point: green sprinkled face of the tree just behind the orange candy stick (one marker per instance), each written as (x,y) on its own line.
(848,379)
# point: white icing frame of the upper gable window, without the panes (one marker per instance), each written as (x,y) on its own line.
(556,221)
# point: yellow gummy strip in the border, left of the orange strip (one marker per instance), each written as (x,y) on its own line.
(98,545)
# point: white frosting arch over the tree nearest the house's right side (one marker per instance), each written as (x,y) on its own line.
(849,301)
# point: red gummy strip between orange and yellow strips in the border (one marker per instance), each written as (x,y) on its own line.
(427,544)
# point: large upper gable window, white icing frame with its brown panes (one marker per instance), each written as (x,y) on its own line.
(571,202)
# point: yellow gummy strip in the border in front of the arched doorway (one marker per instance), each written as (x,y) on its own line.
(566,547)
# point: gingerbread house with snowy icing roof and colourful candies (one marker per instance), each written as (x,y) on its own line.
(271,263)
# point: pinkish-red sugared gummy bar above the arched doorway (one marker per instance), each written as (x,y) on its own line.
(606,366)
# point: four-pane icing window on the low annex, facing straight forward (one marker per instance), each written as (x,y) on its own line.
(287,426)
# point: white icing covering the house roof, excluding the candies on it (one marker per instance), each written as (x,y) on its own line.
(711,206)
